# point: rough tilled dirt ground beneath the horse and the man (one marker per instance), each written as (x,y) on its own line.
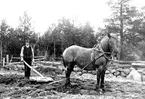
(14,86)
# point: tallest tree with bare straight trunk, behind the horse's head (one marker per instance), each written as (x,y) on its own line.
(123,14)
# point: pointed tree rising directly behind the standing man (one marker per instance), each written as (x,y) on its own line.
(17,36)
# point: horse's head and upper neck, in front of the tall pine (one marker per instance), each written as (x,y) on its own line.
(110,43)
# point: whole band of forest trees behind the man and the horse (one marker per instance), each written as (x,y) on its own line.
(126,21)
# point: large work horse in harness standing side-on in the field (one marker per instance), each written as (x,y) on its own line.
(95,58)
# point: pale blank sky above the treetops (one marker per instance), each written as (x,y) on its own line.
(46,12)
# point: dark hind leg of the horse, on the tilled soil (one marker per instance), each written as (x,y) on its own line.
(68,73)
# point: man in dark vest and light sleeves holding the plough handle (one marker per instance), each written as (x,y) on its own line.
(27,55)
